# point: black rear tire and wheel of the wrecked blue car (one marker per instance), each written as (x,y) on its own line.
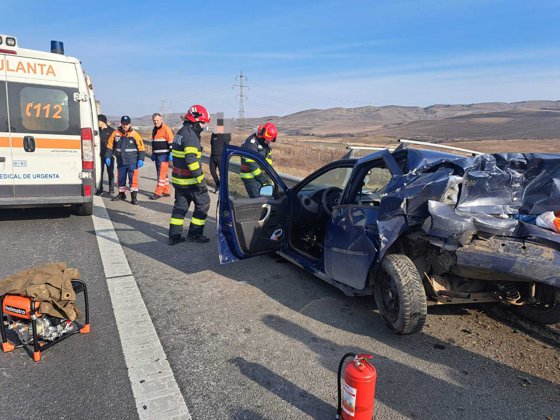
(400,296)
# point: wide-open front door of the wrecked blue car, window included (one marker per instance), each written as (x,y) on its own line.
(253,206)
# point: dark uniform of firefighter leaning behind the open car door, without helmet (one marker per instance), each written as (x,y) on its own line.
(250,172)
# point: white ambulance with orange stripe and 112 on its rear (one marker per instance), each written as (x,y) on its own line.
(49,137)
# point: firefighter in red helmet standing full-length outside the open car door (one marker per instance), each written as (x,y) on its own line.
(187,178)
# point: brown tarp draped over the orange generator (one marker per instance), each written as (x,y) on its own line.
(50,284)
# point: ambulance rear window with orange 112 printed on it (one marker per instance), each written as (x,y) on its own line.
(43,109)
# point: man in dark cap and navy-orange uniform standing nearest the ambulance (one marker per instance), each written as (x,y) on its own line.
(127,145)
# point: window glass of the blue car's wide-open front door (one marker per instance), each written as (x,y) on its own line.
(247,178)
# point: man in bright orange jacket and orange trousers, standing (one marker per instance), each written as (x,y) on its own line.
(162,139)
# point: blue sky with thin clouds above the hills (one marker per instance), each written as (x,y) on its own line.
(300,54)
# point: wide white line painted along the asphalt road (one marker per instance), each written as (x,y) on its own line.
(155,390)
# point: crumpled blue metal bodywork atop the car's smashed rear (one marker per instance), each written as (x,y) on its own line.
(493,187)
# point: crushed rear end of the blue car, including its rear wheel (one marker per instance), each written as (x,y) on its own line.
(467,224)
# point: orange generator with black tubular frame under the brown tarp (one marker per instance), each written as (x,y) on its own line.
(21,315)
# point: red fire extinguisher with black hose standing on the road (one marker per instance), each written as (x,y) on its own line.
(357,393)
